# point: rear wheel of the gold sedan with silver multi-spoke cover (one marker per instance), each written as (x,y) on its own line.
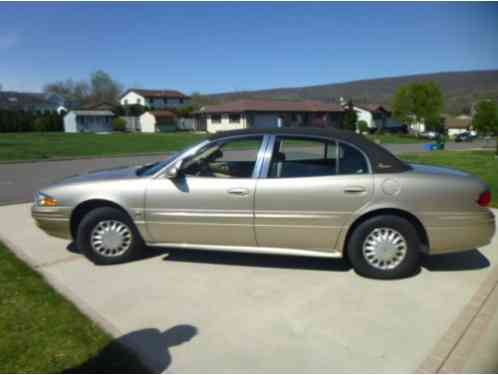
(385,247)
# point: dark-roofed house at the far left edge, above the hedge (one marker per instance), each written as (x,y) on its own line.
(32,102)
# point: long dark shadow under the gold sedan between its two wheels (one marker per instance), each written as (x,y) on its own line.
(257,260)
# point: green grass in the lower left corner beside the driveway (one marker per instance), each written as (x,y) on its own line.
(41,332)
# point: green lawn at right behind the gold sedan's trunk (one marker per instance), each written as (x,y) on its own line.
(481,163)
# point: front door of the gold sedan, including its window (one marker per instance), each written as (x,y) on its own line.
(211,200)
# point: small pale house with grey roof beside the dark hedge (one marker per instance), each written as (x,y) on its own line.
(83,121)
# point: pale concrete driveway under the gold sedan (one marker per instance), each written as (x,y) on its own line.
(194,311)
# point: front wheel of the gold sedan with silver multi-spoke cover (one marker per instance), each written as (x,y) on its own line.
(119,240)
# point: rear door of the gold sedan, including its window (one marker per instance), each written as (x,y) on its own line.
(311,189)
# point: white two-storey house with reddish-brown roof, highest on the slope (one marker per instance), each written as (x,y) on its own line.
(155,99)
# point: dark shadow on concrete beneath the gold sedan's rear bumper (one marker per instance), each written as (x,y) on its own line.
(462,261)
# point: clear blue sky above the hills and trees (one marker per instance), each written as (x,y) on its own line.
(218,47)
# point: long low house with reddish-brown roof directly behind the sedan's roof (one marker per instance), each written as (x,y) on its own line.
(250,113)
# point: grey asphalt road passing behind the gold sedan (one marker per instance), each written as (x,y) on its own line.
(20,181)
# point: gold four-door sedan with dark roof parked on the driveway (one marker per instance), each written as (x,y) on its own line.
(326,193)
